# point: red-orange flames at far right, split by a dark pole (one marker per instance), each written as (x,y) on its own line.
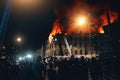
(113,17)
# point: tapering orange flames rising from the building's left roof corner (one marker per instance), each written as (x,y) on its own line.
(55,30)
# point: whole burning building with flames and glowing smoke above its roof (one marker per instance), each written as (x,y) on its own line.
(79,28)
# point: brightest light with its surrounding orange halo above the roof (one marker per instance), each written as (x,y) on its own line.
(80,24)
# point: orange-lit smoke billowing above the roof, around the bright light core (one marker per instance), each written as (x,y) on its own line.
(68,11)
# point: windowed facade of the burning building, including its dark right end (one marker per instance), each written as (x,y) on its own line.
(79,44)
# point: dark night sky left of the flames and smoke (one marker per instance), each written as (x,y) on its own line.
(33,25)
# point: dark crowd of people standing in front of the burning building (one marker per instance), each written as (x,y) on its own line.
(54,69)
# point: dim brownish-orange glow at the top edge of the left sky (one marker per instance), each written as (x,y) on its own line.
(27,7)
